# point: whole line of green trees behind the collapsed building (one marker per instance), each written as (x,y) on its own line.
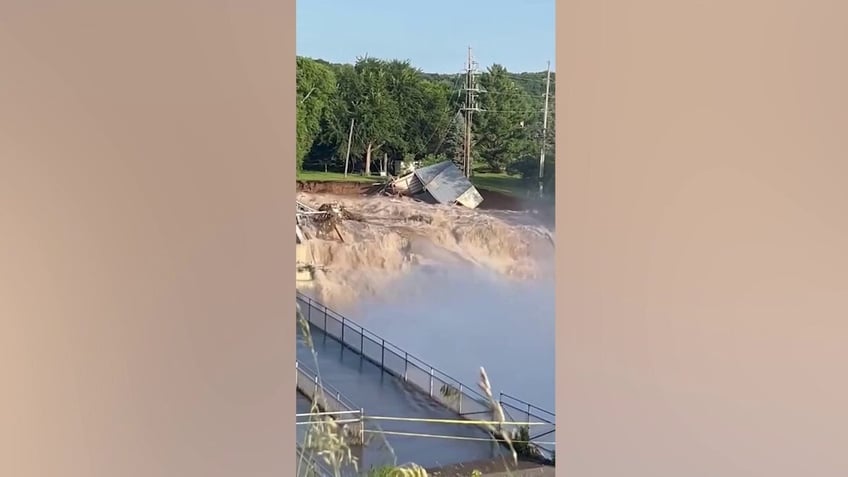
(402,113)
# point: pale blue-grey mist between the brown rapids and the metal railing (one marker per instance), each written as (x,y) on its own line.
(458,319)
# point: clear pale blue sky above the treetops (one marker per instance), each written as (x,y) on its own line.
(518,34)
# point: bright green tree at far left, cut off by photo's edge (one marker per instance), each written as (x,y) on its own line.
(316,87)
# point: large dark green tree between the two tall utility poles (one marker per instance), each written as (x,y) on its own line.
(504,126)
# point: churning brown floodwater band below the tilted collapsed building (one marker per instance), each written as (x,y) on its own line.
(386,239)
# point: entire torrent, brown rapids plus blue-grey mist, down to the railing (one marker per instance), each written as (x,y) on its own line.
(457,288)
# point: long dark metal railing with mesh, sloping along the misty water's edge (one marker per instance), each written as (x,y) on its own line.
(449,392)
